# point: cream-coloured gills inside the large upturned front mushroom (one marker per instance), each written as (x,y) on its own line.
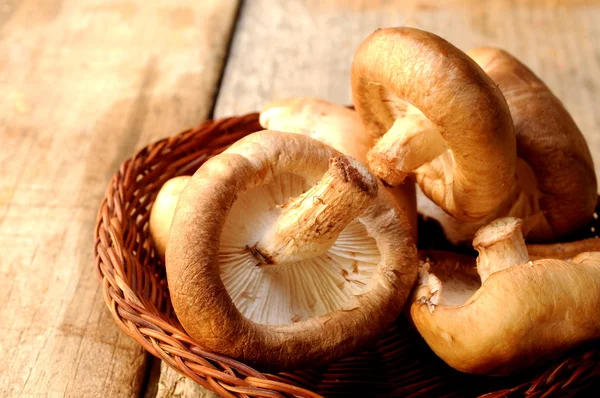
(290,292)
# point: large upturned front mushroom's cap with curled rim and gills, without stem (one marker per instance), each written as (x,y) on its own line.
(210,237)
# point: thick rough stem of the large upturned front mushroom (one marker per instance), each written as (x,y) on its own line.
(310,223)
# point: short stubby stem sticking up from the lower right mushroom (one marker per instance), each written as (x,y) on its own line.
(500,245)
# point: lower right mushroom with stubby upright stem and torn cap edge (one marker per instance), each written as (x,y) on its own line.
(507,313)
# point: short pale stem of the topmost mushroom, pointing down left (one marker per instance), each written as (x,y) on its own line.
(411,142)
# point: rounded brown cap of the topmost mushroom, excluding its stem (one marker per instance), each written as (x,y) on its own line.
(426,71)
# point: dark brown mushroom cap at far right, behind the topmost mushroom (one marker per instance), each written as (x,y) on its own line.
(550,143)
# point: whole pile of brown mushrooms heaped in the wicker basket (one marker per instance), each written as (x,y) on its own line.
(296,245)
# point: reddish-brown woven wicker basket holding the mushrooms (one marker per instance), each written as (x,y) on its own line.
(136,294)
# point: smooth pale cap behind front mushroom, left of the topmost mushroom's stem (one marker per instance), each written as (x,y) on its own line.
(337,126)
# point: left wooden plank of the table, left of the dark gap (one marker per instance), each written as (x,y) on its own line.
(85,83)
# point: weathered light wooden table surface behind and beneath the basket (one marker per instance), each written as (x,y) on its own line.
(87,82)
